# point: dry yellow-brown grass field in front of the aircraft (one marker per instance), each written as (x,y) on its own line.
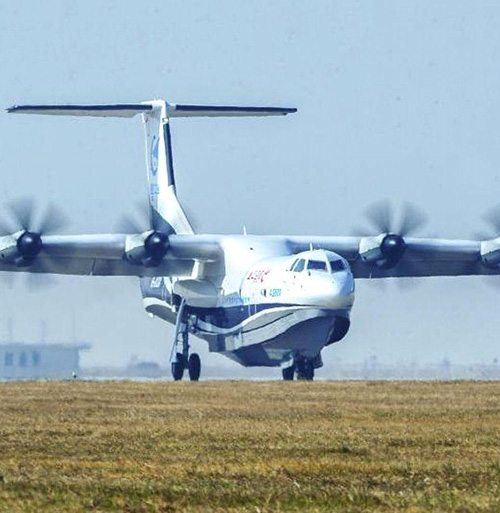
(246,446)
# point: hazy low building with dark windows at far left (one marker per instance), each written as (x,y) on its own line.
(40,360)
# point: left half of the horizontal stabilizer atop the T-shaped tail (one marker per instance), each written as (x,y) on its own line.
(126,110)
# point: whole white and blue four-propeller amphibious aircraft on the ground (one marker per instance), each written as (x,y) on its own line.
(259,300)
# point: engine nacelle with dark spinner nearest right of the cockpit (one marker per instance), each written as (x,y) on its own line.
(383,251)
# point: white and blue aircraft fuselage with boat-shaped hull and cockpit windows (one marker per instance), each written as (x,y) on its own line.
(261,305)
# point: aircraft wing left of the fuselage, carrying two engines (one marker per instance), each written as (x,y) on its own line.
(105,255)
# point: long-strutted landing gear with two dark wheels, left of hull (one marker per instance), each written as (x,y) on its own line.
(180,359)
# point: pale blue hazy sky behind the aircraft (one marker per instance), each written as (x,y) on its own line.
(396,100)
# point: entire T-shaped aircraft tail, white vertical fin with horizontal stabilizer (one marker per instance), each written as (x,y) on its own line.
(167,214)
